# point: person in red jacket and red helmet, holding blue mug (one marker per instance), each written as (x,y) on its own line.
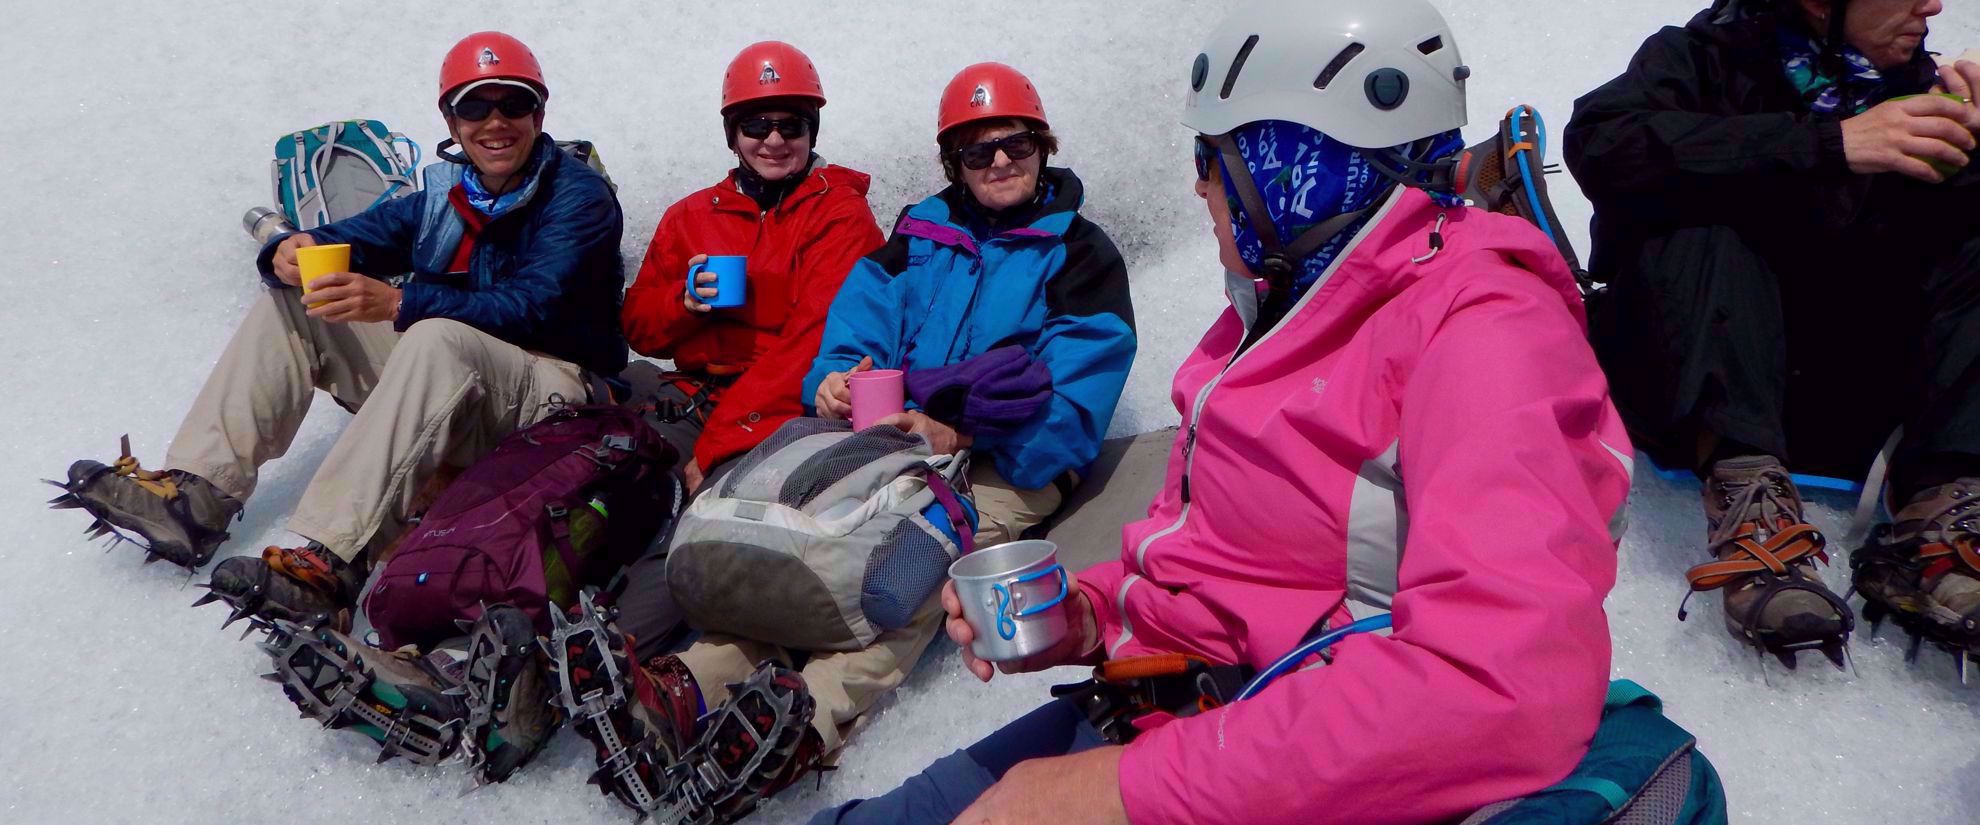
(803,225)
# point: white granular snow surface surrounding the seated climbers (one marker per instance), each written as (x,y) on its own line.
(136,134)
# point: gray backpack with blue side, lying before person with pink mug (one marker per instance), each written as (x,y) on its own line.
(821,539)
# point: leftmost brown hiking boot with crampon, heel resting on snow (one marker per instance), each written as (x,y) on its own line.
(181,517)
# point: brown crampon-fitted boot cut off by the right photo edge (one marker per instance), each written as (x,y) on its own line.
(1926,569)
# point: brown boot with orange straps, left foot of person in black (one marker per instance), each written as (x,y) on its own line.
(1765,561)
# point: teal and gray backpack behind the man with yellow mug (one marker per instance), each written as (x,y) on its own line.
(340,169)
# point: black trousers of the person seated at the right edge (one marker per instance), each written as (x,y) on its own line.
(1811,351)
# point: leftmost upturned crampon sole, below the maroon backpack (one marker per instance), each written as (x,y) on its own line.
(399,703)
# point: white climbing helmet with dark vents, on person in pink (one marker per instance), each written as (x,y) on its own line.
(1369,74)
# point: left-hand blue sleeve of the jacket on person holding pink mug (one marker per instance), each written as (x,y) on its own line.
(864,320)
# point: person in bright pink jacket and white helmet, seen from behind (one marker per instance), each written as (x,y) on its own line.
(1399,414)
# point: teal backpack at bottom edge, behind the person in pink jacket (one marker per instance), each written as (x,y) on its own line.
(1640,771)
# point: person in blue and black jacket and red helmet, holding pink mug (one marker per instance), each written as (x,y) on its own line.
(1007,310)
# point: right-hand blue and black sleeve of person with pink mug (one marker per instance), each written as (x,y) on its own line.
(1088,343)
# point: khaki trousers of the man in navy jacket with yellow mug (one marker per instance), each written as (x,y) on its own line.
(441,393)
